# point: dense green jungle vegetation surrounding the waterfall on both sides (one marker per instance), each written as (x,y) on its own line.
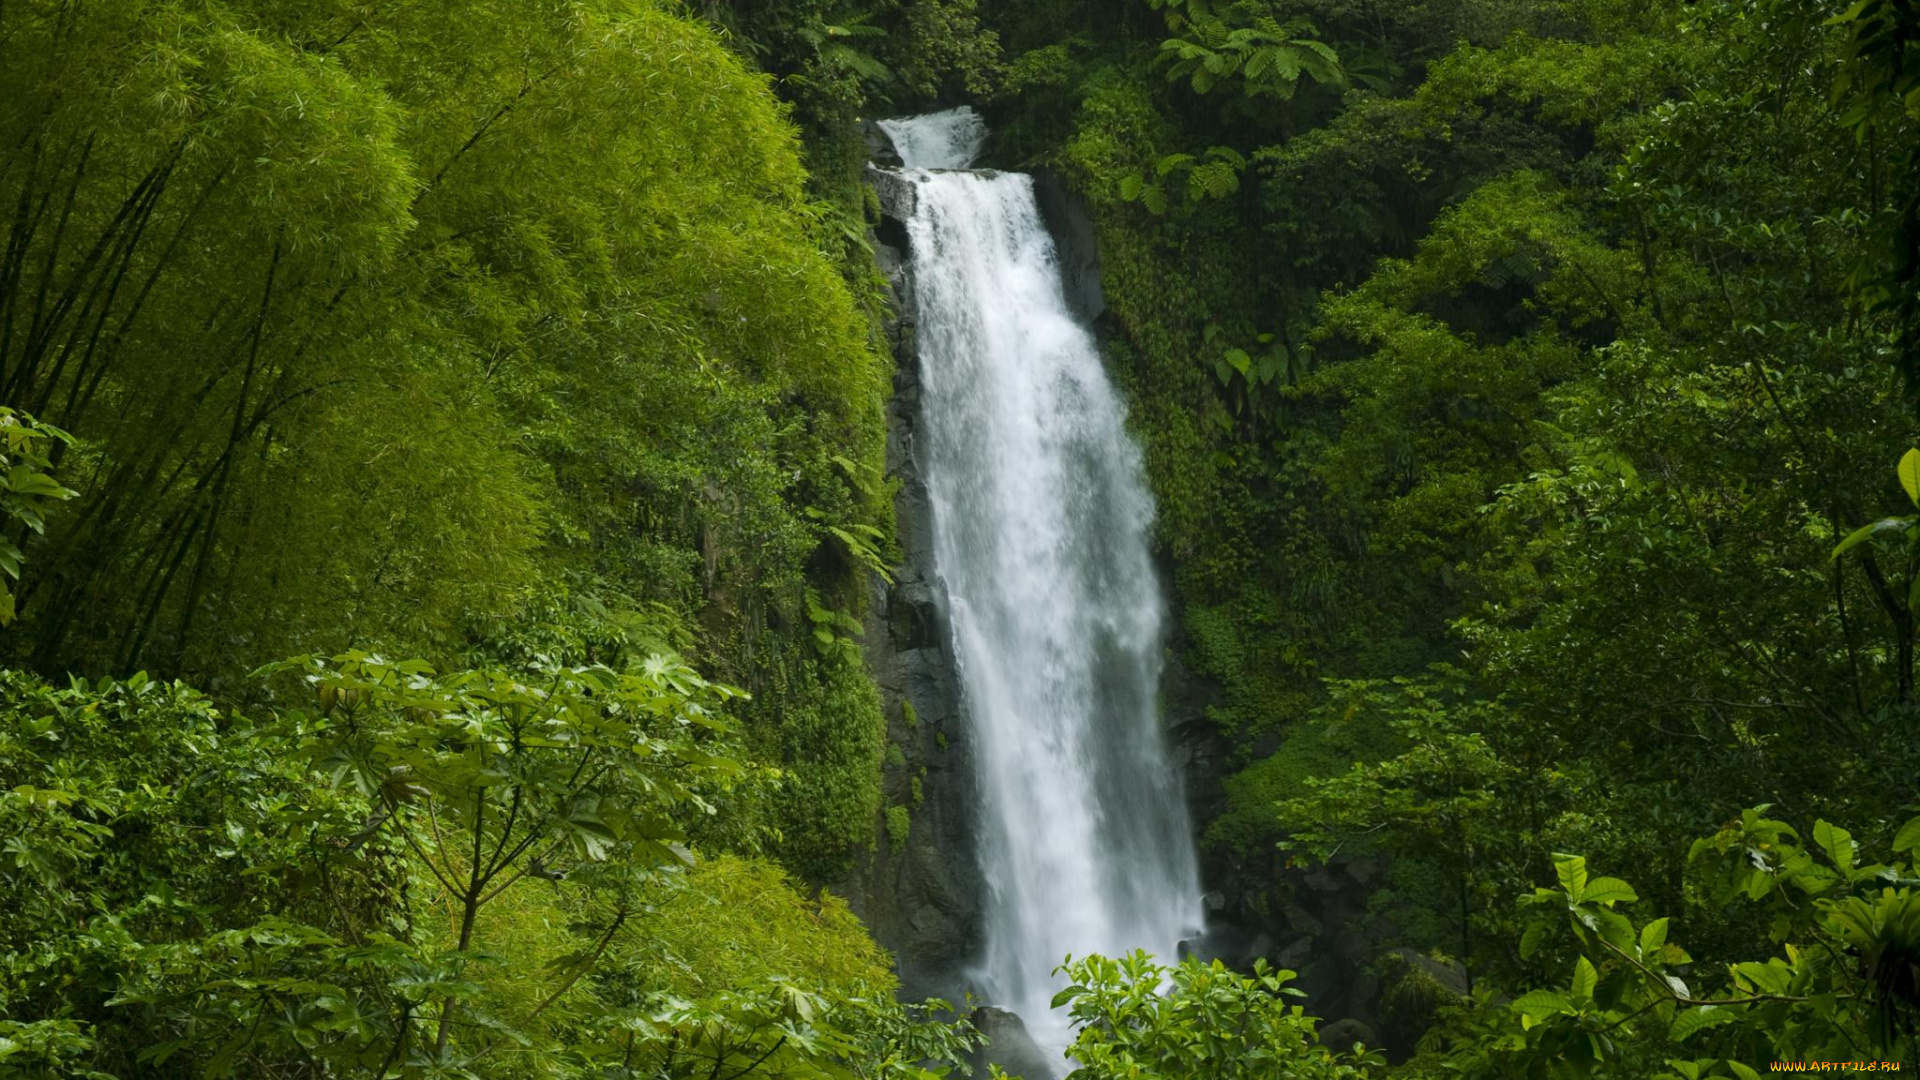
(444,460)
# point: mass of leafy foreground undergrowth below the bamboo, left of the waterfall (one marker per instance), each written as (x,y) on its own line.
(450,875)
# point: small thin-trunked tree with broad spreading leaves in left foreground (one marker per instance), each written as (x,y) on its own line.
(491,779)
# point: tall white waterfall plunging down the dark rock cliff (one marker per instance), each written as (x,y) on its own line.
(1042,543)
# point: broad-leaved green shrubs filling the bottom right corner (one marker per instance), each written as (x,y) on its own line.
(1637,1004)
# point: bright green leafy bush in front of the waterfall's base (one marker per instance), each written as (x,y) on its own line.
(1193,1023)
